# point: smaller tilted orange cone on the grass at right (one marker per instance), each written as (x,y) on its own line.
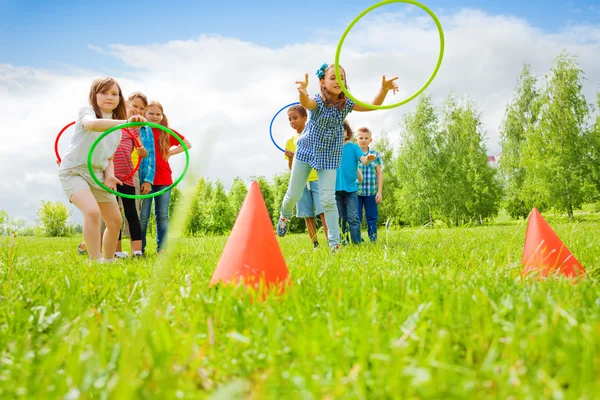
(545,253)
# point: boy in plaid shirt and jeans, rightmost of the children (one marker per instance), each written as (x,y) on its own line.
(370,189)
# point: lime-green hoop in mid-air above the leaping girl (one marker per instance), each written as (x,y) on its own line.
(418,92)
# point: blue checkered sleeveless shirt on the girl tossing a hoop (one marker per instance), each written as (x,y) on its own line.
(323,139)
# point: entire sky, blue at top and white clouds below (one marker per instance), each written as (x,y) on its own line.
(222,70)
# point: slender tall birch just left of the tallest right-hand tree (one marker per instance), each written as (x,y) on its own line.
(522,116)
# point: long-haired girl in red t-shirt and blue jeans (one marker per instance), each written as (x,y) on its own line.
(163,141)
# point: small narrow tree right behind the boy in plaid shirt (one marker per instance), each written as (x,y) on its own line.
(387,209)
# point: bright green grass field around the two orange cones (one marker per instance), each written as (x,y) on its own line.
(423,314)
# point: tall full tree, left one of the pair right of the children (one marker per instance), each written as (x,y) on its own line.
(417,165)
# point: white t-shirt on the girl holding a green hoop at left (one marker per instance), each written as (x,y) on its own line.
(82,142)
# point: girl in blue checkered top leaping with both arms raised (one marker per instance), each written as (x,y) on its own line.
(320,147)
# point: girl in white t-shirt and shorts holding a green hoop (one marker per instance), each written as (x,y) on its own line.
(106,109)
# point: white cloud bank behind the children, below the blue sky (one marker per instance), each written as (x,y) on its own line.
(222,92)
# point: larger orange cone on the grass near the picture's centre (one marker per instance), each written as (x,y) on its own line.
(252,254)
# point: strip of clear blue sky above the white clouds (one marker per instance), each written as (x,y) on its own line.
(43,34)
